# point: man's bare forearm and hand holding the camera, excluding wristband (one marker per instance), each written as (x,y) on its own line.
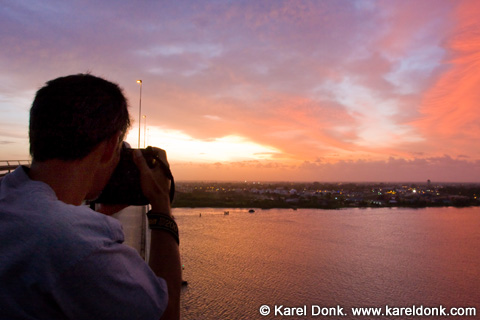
(164,251)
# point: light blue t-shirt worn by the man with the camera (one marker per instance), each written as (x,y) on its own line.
(59,261)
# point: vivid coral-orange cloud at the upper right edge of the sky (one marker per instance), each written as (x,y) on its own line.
(450,109)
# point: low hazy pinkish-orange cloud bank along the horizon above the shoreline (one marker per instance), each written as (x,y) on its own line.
(437,169)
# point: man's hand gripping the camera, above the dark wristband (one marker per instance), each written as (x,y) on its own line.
(155,185)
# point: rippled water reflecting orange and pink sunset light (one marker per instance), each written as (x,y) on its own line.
(355,257)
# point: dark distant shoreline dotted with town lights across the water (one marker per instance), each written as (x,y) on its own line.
(324,196)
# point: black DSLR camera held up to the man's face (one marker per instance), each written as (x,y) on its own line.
(124,185)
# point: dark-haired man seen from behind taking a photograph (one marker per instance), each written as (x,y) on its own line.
(58,258)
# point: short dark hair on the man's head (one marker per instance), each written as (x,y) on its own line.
(71,115)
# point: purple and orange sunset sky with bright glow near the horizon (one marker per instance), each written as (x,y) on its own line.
(268,90)
